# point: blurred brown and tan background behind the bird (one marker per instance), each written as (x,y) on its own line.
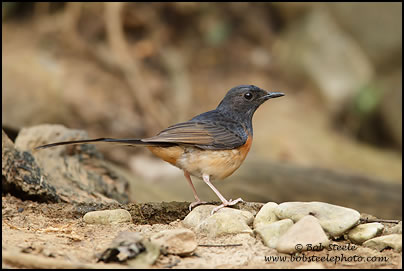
(128,70)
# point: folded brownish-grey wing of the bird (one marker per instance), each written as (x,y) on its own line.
(201,134)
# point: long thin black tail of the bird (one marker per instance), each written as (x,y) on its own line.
(108,140)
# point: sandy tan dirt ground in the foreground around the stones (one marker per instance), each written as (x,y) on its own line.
(58,237)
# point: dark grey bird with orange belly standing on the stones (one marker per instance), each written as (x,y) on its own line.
(210,146)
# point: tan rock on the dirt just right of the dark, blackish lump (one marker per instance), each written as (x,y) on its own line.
(178,241)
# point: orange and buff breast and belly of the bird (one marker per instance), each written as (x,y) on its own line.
(218,164)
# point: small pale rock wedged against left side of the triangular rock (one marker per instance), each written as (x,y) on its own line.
(270,233)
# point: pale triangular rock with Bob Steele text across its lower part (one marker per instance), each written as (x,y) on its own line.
(306,234)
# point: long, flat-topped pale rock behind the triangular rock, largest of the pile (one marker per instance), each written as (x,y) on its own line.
(334,219)
